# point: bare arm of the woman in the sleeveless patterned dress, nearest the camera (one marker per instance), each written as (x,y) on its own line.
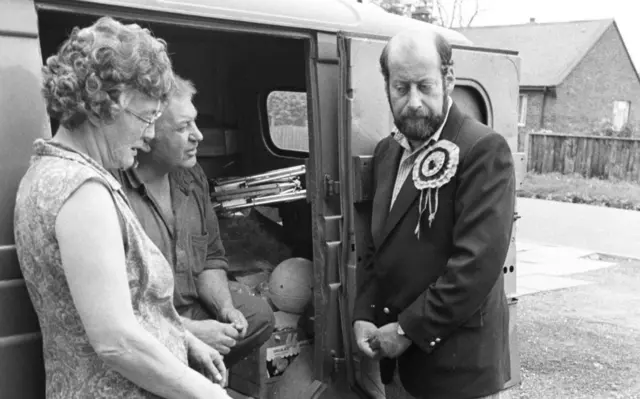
(92,252)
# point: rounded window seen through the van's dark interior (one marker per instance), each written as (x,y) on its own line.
(288,122)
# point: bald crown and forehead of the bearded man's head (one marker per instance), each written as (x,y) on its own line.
(416,43)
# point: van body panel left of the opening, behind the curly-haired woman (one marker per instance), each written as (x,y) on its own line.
(23,118)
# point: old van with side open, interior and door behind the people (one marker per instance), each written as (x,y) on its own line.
(281,83)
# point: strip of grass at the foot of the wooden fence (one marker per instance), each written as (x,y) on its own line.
(581,190)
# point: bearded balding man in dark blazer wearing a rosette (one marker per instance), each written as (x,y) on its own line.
(430,302)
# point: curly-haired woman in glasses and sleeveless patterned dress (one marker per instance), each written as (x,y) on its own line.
(101,289)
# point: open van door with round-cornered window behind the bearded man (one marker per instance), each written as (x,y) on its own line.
(487,88)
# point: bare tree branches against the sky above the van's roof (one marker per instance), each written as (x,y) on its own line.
(447,13)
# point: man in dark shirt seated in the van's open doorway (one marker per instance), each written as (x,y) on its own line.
(169,193)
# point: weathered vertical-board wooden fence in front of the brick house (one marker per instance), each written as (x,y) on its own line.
(589,156)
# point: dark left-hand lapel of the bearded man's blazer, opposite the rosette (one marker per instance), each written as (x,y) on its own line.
(384,188)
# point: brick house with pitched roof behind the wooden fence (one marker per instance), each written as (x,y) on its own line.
(576,77)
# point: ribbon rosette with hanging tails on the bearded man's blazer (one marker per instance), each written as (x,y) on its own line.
(432,169)
